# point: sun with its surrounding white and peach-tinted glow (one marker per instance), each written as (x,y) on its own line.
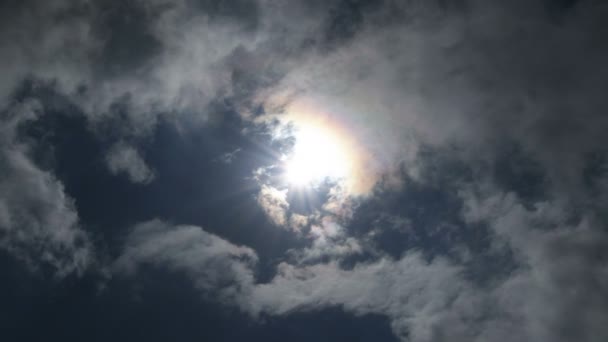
(327,149)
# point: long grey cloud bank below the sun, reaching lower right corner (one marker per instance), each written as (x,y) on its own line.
(555,293)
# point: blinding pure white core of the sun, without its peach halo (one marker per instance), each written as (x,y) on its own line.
(317,155)
